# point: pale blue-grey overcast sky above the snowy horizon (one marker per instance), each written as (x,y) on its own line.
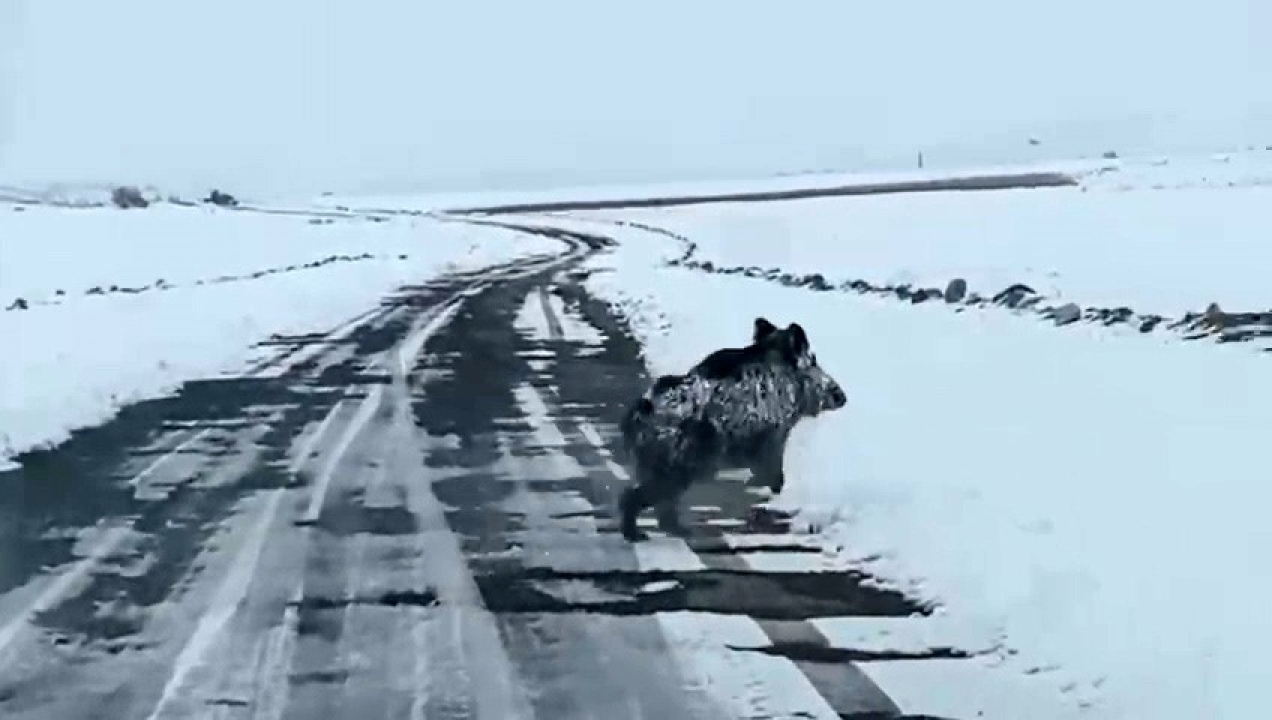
(382,95)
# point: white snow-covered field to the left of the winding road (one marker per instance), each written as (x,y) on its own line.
(72,361)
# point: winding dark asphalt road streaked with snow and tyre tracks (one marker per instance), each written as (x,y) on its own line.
(413,517)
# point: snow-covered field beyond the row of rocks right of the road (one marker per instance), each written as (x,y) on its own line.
(1158,239)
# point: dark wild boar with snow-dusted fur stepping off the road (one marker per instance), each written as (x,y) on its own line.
(733,410)
